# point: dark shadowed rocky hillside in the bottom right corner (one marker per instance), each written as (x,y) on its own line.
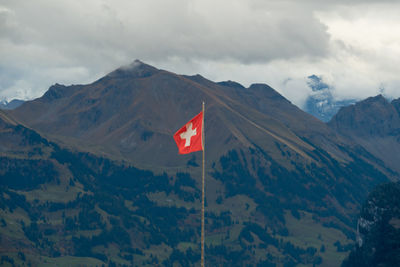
(378,229)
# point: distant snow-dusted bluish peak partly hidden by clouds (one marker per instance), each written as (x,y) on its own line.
(321,102)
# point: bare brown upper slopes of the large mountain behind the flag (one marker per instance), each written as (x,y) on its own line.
(132,113)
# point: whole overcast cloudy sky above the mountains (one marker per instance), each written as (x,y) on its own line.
(353,45)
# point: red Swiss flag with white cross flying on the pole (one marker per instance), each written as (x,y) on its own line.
(189,137)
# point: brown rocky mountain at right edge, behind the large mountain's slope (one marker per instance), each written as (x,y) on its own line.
(373,123)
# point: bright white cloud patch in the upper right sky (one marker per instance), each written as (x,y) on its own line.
(365,49)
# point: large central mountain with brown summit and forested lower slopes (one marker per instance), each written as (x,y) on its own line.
(282,187)
